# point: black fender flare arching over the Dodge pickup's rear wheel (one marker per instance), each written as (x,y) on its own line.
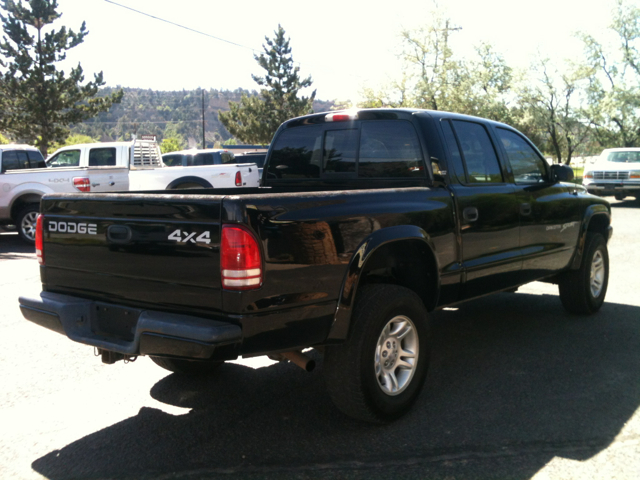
(341,324)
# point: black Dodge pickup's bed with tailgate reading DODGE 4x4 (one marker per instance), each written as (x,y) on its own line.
(146,252)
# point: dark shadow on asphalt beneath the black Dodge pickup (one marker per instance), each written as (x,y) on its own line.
(514,382)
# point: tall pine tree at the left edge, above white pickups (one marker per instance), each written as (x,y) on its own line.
(42,101)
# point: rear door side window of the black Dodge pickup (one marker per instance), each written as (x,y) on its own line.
(478,154)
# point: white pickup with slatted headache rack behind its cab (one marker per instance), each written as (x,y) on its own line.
(147,170)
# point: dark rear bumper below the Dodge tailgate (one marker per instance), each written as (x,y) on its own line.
(127,330)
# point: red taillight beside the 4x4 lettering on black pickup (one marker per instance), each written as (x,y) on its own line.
(240,260)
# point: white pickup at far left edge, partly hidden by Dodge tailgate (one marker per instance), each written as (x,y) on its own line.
(24,181)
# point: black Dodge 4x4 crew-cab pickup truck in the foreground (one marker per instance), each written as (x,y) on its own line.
(366,220)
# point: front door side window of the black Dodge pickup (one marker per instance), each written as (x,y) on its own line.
(528,167)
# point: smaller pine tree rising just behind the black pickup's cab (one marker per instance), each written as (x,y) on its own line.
(256,119)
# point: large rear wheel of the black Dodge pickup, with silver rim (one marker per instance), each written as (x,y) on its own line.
(355,371)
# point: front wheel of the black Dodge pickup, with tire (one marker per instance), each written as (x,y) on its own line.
(582,291)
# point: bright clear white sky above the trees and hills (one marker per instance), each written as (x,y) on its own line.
(344,45)
